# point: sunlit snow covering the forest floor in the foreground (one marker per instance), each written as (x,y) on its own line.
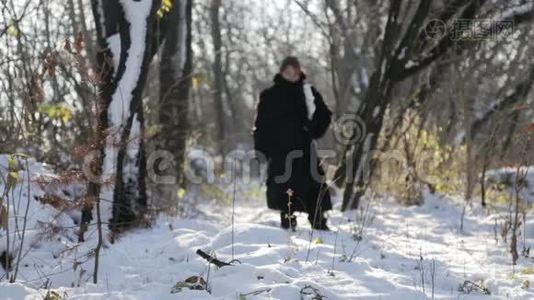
(400,253)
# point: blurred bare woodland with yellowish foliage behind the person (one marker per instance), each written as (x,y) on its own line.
(442,90)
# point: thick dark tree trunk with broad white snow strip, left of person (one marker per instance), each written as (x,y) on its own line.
(124,35)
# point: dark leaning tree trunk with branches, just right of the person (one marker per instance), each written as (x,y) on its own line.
(405,51)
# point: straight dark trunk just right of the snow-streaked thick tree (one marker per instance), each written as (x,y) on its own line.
(175,81)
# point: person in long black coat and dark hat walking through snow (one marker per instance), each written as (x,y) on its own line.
(290,115)
